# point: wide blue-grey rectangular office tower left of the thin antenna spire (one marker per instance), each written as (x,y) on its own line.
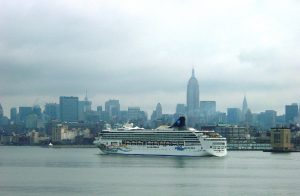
(68,109)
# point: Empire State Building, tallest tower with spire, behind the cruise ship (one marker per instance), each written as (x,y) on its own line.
(192,96)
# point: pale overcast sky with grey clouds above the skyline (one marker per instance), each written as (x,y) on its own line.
(143,52)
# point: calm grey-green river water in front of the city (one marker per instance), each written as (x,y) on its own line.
(84,171)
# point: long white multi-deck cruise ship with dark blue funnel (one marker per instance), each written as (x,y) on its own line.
(175,140)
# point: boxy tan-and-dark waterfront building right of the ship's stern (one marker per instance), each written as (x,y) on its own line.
(281,139)
